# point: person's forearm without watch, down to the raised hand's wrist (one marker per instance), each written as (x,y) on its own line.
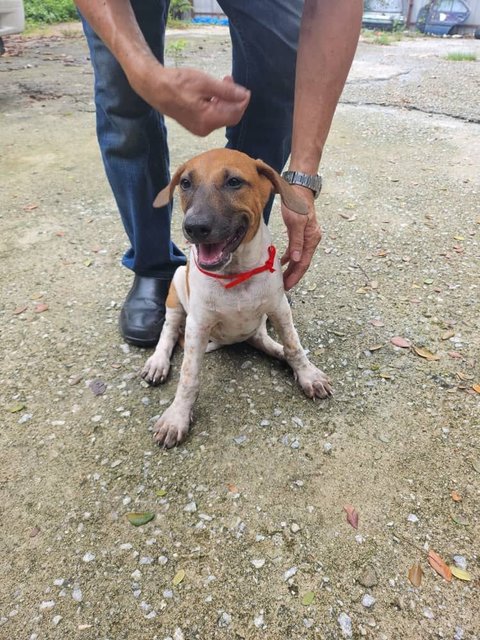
(115,23)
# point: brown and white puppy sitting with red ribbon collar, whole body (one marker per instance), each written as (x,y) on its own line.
(232,283)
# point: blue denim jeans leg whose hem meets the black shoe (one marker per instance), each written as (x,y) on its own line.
(133,142)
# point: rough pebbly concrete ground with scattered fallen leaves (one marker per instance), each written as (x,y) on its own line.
(250,538)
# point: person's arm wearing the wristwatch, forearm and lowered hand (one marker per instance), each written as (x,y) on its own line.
(328,39)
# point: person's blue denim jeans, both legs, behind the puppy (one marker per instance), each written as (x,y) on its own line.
(133,137)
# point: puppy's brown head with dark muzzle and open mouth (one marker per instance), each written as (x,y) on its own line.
(223,194)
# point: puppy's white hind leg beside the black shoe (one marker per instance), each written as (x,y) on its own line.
(157,366)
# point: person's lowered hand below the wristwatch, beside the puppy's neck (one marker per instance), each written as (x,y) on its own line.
(304,234)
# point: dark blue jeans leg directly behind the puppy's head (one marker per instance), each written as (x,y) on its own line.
(264,53)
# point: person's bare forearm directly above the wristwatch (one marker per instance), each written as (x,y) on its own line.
(328,39)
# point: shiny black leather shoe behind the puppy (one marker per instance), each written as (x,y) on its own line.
(143,312)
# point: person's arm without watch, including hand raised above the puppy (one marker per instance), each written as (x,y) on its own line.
(197,101)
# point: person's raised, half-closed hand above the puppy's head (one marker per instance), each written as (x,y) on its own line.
(194,99)
